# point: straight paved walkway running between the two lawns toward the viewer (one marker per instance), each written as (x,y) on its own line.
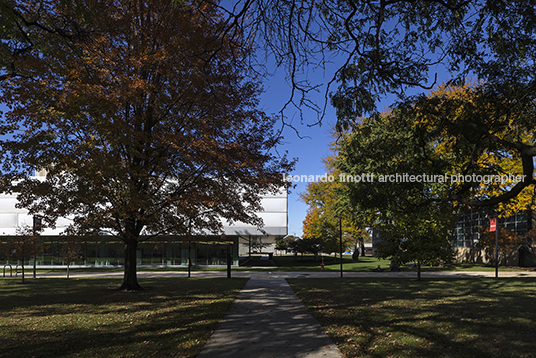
(267,320)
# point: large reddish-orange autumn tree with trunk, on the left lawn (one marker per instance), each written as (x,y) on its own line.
(142,115)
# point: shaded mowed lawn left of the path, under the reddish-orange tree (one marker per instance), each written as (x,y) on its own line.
(172,317)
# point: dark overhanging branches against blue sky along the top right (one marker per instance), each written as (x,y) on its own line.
(390,46)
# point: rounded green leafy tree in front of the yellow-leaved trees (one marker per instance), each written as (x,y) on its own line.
(411,214)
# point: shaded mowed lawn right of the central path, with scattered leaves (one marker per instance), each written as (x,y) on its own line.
(431,318)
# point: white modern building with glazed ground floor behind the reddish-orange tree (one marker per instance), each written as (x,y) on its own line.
(242,239)
